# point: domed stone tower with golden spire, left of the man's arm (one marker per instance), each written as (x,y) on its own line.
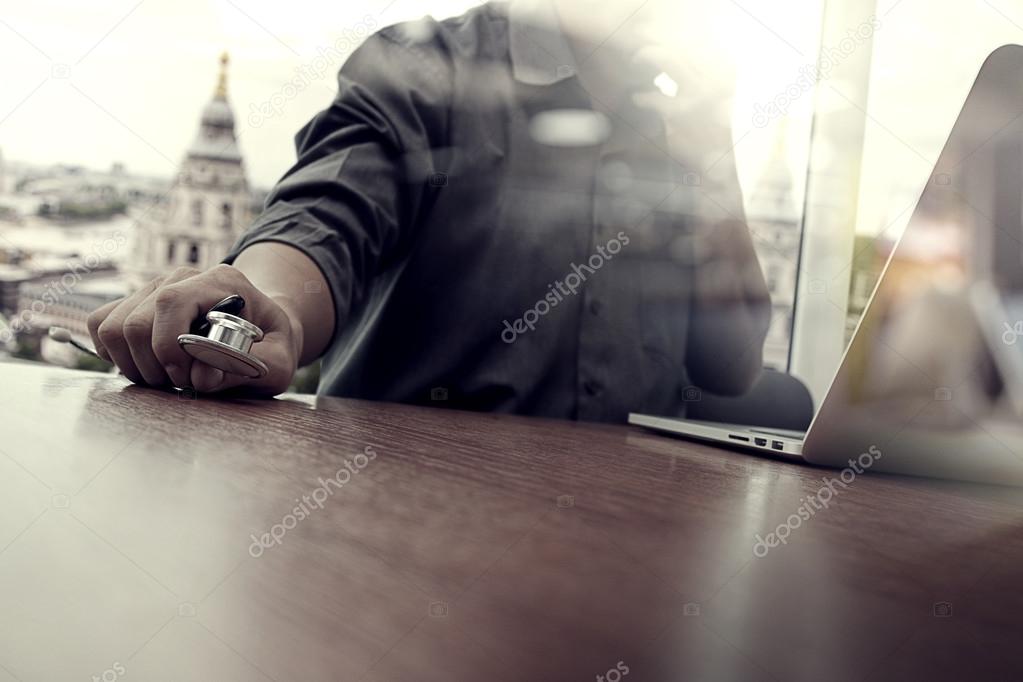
(208,204)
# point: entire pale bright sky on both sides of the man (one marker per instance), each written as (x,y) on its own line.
(126,80)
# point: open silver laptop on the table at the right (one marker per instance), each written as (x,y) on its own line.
(932,381)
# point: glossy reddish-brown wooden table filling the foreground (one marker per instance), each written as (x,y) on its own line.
(471,548)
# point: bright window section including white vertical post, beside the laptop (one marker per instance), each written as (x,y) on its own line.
(881,122)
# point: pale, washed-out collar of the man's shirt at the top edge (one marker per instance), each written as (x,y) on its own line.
(541,54)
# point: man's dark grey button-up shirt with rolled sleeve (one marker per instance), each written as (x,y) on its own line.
(495,239)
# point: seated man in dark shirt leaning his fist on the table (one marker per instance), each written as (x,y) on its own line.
(499,209)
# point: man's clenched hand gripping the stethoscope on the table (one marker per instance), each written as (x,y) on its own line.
(140,334)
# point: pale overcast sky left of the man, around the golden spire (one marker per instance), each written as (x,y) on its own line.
(124,80)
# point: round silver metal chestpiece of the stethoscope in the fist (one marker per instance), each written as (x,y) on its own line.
(227,345)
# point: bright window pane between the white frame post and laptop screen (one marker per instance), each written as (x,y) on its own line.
(901,147)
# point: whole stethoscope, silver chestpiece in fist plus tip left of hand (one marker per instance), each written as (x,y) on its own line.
(220,339)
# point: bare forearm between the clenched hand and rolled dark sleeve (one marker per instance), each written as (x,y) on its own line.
(295,283)
